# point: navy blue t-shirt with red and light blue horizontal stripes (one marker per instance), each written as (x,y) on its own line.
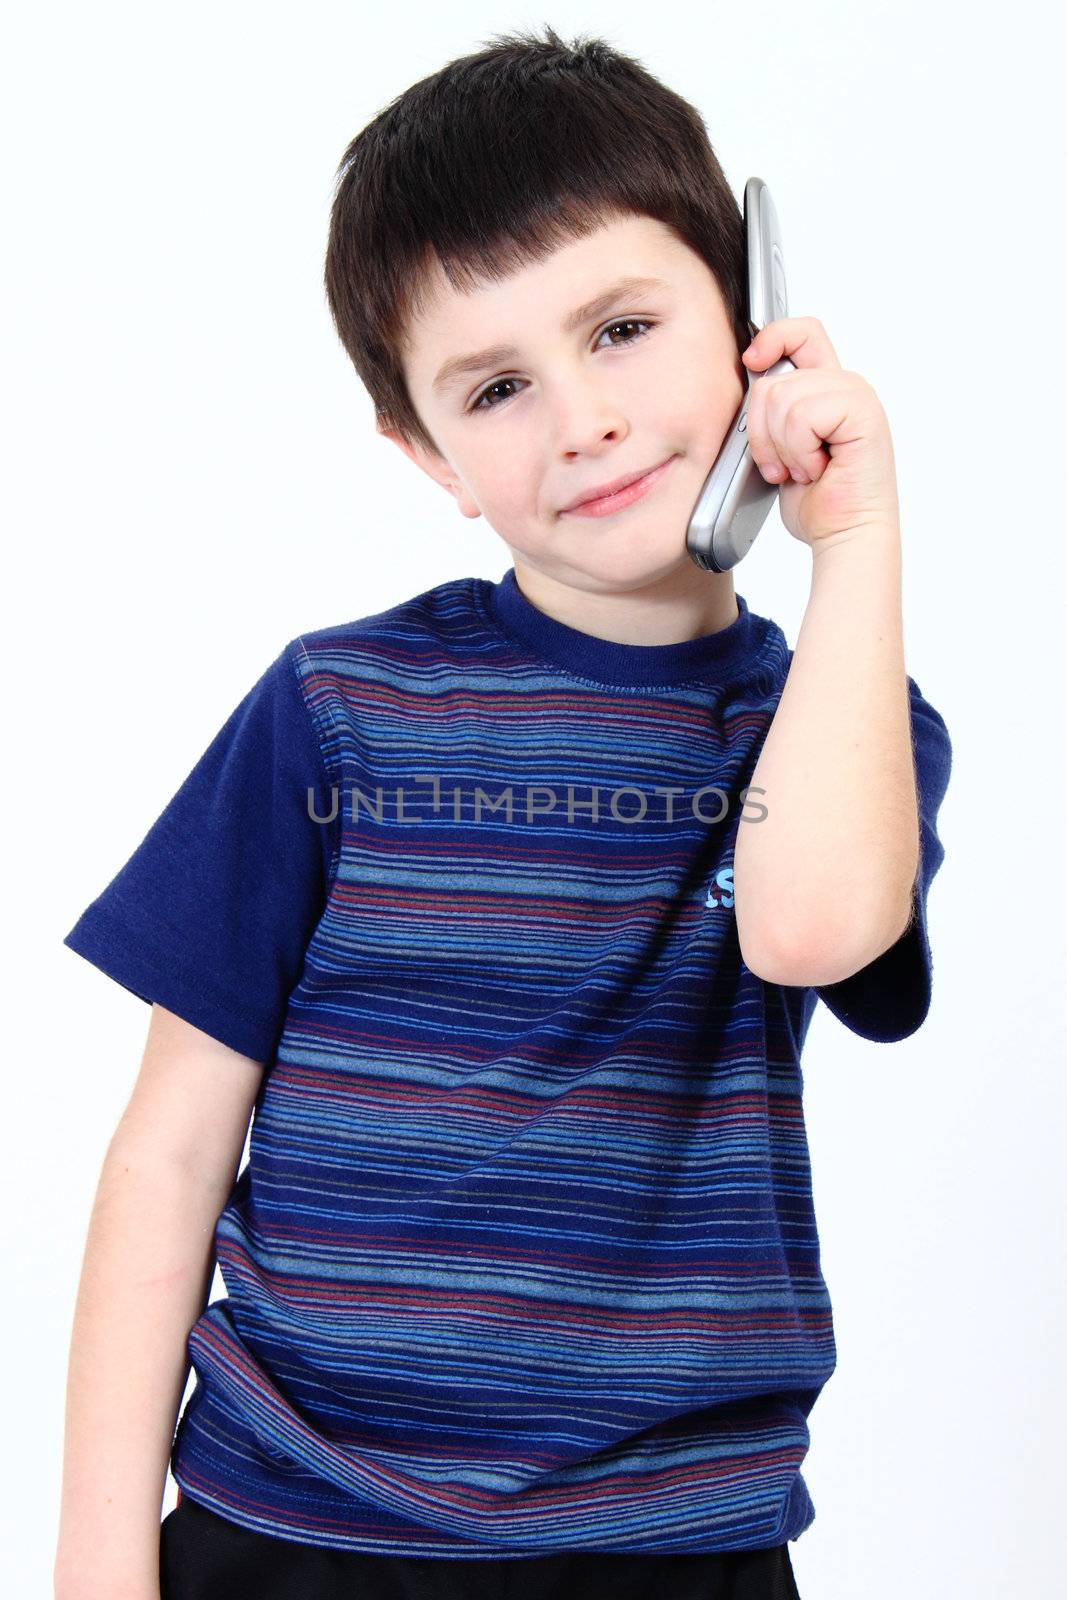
(524,1257)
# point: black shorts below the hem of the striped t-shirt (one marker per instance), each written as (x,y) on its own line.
(206,1558)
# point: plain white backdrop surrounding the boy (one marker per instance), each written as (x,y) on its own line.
(193,479)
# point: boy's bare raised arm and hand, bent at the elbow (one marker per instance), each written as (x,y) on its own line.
(825,881)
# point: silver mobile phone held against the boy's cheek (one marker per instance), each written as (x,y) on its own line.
(737,497)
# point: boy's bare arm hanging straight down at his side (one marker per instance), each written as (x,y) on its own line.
(146,1278)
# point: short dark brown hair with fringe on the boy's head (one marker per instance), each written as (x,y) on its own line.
(490,166)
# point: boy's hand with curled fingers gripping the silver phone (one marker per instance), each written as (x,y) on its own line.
(794,417)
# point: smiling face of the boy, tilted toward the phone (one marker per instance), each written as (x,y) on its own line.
(572,409)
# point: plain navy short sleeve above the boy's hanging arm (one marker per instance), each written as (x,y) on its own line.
(214,911)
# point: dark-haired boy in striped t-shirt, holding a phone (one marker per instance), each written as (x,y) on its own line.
(524,1287)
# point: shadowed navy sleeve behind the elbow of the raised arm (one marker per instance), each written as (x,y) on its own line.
(890,998)
